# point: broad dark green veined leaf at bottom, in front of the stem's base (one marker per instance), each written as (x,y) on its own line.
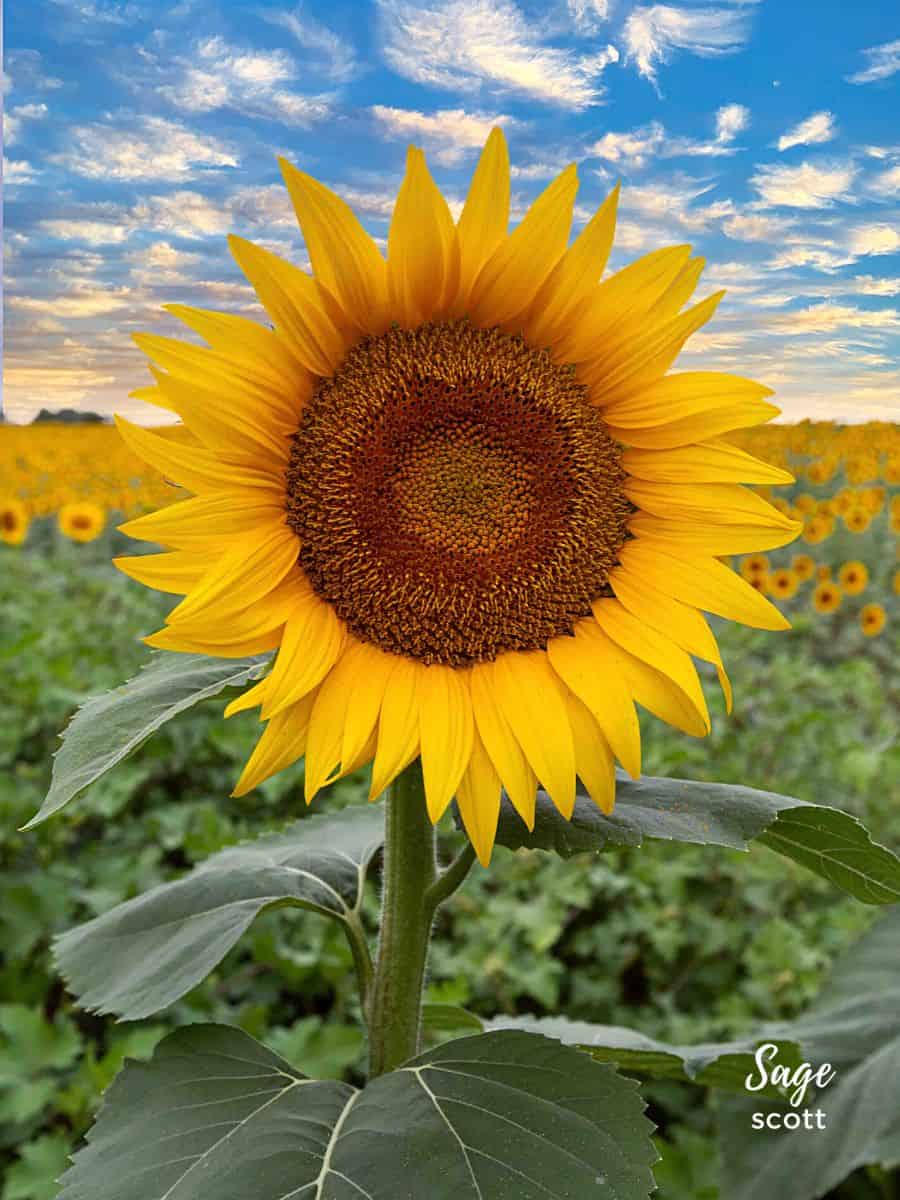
(507,1117)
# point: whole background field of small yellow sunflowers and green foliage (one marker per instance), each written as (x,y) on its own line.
(685,947)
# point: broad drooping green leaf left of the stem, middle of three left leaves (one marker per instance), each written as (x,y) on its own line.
(145,955)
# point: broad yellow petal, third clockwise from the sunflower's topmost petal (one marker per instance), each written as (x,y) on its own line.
(620,303)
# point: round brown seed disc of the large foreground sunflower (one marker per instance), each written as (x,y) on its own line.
(455,495)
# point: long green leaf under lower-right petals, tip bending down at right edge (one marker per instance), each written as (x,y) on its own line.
(831,843)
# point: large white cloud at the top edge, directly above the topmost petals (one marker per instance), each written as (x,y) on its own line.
(465,45)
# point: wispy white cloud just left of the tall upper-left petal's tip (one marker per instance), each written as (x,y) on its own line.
(148,148)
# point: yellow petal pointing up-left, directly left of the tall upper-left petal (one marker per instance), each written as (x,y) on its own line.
(296,304)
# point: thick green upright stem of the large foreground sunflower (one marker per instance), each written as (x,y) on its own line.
(410,872)
